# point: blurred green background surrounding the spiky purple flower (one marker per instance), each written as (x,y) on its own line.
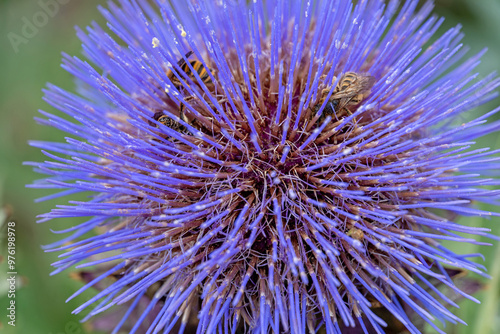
(40,298)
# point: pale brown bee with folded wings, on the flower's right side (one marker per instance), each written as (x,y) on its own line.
(351,89)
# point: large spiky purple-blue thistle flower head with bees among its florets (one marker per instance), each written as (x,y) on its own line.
(296,172)
